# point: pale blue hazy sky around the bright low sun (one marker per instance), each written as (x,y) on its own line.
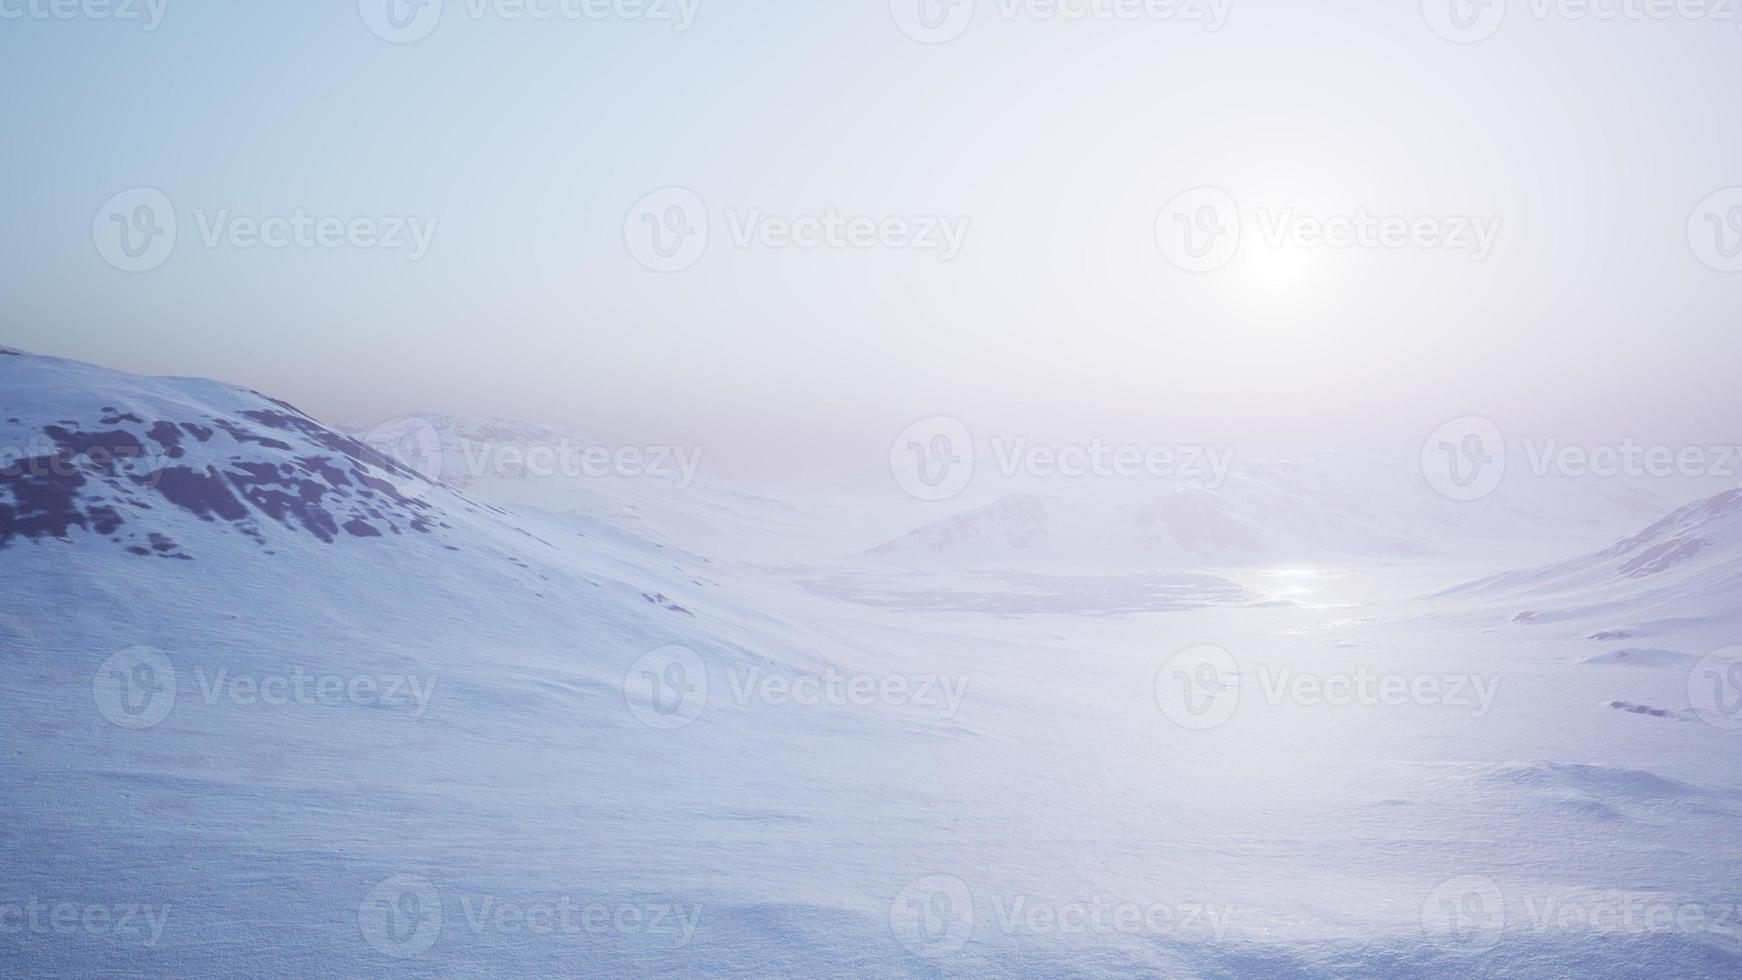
(1050,145)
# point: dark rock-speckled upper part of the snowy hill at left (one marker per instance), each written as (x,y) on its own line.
(172,467)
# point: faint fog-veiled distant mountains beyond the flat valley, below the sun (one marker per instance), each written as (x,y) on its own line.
(1269,511)
